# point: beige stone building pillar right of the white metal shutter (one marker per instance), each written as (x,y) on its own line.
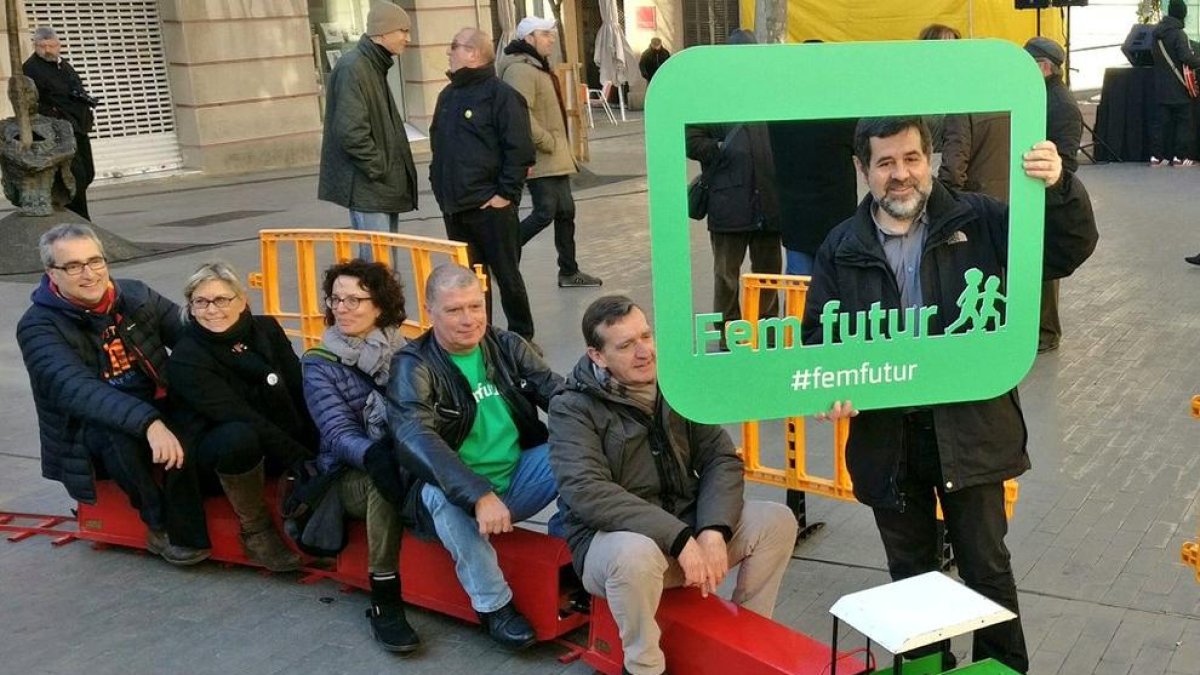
(244,83)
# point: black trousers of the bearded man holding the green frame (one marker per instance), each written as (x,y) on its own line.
(976,528)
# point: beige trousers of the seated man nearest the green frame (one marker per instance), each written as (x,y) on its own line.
(631,572)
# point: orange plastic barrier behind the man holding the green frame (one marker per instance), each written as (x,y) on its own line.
(795,475)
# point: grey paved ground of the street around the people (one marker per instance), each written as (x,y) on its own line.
(1095,541)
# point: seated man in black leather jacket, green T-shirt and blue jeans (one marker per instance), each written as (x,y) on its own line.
(463,405)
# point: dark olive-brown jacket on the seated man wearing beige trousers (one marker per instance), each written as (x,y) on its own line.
(615,474)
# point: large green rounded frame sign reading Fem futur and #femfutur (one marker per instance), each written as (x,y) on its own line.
(790,82)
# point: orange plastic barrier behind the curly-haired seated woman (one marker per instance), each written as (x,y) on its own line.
(311,252)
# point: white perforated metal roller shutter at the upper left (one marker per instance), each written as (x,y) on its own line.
(117,47)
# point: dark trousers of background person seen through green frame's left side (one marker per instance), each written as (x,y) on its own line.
(729,252)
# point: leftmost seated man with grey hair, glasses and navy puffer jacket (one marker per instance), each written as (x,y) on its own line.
(97,355)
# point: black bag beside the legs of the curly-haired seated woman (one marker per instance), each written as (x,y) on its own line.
(304,493)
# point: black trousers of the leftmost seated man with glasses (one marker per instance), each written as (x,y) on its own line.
(177,506)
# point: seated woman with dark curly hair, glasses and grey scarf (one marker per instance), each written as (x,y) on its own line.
(345,385)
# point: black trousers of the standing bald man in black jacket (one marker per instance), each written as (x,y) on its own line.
(494,241)
